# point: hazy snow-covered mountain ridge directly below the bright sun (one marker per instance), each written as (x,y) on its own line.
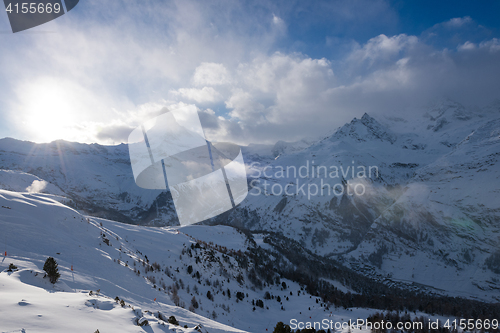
(97,178)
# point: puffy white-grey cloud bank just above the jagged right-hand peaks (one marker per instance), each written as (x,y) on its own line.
(289,96)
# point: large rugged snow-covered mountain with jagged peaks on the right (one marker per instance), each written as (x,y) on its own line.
(429,212)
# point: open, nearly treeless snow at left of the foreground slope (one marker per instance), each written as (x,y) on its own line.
(35,227)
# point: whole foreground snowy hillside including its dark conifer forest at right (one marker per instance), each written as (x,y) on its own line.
(209,279)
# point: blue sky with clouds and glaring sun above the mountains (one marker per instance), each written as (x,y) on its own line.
(258,71)
